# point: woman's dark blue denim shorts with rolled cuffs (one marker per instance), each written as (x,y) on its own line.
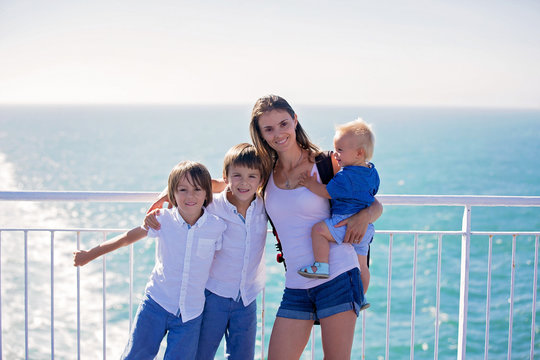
(340,294)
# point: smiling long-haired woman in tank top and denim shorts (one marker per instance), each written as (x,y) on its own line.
(287,153)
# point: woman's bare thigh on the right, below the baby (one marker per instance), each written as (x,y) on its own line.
(337,333)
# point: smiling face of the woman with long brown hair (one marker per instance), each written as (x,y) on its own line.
(278,129)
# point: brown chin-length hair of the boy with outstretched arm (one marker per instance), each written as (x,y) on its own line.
(199,175)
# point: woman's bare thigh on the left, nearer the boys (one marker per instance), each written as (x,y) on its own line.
(289,338)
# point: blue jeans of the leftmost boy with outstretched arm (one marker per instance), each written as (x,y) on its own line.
(152,323)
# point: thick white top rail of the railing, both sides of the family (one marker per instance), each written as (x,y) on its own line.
(134,196)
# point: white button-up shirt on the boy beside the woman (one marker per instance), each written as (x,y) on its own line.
(238,267)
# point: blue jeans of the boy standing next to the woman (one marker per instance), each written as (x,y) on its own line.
(225,316)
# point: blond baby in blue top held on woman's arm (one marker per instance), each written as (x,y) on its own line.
(352,189)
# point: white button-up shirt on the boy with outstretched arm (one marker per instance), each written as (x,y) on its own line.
(184,256)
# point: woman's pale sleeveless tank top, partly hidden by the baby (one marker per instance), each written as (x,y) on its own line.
(294,212)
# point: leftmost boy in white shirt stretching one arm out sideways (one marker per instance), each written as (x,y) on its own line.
(185,246)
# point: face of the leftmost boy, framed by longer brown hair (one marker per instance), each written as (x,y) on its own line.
(189,197)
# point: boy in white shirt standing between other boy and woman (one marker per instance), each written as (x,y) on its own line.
(237,274)
